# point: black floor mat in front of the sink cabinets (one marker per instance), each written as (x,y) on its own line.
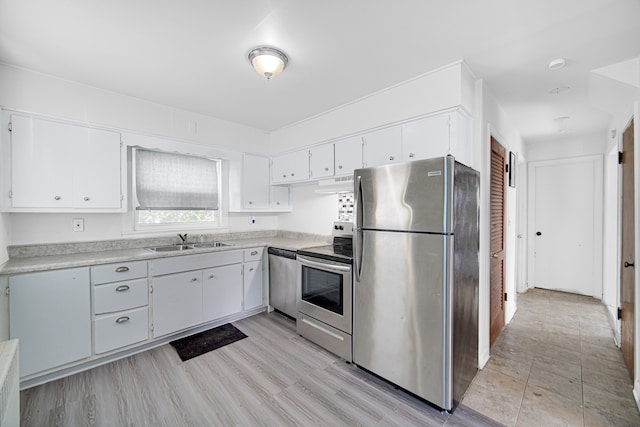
(204,342)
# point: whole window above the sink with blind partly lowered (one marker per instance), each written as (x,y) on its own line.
(172,189)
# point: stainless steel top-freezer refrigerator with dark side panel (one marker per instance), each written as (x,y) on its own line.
(416,276)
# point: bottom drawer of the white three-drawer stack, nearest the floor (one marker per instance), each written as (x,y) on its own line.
(120,329)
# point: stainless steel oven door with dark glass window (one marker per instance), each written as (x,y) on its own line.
(324,291)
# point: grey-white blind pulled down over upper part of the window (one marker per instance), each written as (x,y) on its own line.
(168,181)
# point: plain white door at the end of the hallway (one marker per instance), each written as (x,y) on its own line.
(566,232)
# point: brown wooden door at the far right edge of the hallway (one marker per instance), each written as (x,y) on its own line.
(627,293)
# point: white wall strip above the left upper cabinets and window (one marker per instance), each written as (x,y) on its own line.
(47,95)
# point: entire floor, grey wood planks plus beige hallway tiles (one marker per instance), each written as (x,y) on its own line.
(554,364)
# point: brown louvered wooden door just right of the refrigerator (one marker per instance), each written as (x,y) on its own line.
(497,240)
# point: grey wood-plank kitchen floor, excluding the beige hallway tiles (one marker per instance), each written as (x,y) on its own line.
(272,378)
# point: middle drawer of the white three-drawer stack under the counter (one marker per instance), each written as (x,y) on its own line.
(120,296)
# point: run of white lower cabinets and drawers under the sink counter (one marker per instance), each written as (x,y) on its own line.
(76,317)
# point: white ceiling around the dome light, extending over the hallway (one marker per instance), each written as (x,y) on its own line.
(192,54)
